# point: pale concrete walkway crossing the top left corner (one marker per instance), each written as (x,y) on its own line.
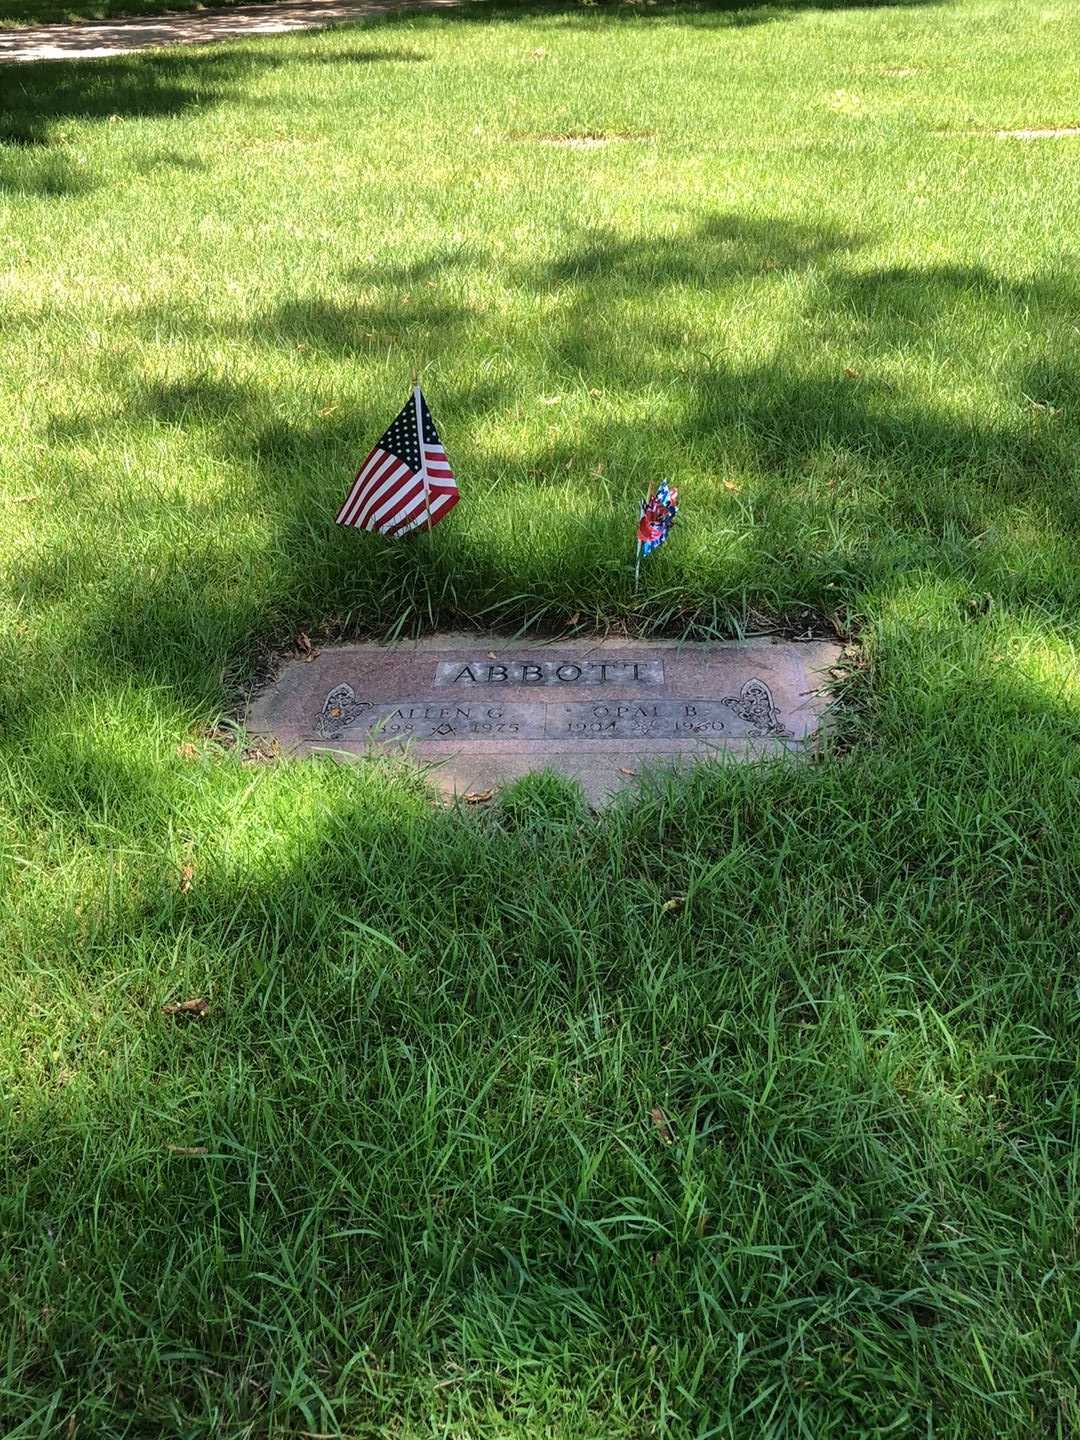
(99,40)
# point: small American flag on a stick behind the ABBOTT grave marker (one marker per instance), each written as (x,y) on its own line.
(405,482)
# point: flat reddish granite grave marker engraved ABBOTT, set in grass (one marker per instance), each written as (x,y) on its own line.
(483,711)
